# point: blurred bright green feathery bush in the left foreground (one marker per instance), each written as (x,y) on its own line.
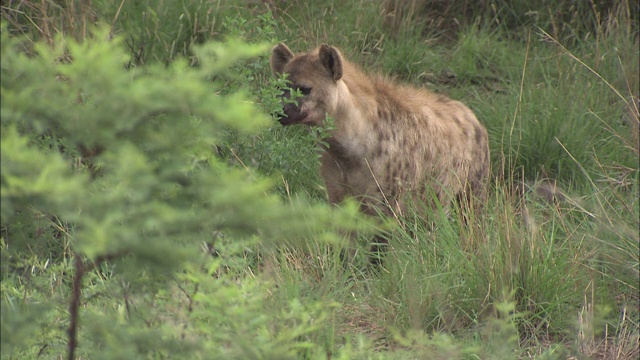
(111,182)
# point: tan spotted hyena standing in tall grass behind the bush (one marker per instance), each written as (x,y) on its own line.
(391,144)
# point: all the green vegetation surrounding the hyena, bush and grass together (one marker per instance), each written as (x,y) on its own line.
(153,208)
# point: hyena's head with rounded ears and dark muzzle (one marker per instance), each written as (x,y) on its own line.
(316,75)
